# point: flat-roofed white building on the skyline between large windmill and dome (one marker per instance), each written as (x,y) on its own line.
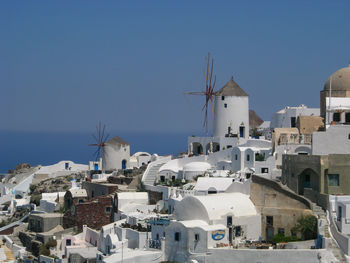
(287,117)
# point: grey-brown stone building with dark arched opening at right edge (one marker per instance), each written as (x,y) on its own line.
(317,176)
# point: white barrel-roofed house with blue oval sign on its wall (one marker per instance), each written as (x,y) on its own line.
(204,222)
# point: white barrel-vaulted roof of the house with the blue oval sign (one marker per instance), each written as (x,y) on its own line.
(214,207)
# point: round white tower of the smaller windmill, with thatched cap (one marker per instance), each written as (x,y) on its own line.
(116,154)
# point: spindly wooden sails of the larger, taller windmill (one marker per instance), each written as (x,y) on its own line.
(208,93)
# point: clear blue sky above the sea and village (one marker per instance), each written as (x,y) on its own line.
(65,65)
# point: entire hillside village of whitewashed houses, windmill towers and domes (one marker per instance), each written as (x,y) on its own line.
(254,191)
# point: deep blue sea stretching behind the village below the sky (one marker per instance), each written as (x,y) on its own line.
(46,148)
